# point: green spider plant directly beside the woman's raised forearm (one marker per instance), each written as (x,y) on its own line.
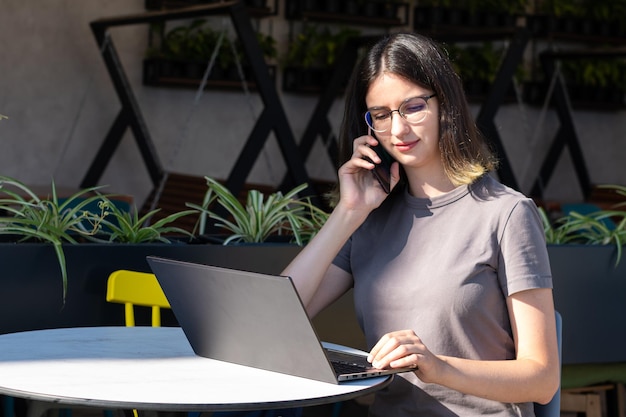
(278,214)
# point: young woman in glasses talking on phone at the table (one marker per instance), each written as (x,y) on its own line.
(450,270)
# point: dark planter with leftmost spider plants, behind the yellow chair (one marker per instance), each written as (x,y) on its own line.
(87,245)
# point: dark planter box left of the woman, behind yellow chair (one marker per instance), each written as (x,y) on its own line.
(30,282)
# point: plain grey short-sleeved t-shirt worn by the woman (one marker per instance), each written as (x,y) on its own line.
(443,267)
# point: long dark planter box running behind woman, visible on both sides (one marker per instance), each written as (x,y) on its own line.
(589,291)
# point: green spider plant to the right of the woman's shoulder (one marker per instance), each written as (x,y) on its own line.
(602,227)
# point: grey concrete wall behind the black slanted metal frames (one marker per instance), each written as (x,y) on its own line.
(60,103)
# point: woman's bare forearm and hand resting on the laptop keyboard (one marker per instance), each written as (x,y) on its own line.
(533,376)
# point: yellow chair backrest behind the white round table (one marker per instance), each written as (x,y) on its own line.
(132,289)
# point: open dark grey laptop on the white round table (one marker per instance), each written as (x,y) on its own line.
(253,319)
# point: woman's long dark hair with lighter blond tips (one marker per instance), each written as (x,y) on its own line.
(465,154)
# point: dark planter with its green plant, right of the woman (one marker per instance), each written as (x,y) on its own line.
(585,249)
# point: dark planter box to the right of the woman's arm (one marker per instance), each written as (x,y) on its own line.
(590,294)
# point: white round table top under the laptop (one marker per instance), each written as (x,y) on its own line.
(149,368)
